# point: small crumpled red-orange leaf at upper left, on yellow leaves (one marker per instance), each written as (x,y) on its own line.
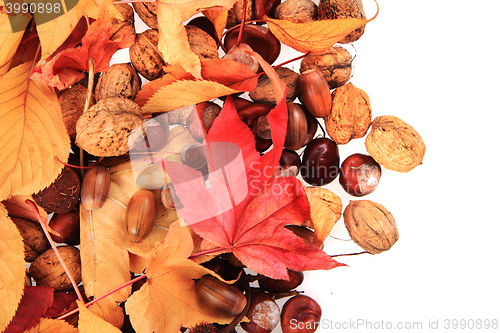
(68,66)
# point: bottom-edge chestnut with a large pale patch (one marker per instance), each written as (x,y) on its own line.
(263,313)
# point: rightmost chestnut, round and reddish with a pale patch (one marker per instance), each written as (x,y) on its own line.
(359,175)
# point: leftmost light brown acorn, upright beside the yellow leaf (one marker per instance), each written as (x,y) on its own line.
(95,187)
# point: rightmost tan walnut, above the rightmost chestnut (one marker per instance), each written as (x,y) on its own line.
(394,144)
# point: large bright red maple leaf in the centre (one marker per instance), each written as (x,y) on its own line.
(243,208)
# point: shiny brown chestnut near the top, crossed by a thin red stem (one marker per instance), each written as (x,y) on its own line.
(259,38)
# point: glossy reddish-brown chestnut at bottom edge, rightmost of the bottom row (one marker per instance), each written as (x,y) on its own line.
(300,314)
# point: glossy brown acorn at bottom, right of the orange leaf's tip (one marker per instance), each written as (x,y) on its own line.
(220,295)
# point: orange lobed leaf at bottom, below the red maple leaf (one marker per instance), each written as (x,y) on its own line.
(169,300)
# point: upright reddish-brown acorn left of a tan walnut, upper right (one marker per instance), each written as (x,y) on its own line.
(315,93)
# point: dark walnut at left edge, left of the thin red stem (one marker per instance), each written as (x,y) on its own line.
(34,238)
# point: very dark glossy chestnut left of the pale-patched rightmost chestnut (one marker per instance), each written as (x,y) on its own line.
(320,162)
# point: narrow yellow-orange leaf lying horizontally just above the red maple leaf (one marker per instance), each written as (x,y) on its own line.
(183,93)
